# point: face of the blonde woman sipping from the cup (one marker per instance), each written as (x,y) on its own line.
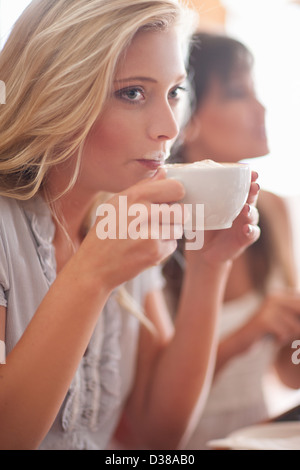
(132,136)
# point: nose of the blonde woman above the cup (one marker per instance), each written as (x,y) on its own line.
(163,123)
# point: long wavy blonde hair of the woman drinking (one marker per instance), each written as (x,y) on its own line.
(58,65)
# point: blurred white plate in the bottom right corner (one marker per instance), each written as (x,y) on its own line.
(271,436)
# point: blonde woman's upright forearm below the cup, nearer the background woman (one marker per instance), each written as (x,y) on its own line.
(183,370)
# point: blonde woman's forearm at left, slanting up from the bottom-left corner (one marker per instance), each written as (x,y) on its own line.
(40,368)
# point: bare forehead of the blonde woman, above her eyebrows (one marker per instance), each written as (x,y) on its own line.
(157,54)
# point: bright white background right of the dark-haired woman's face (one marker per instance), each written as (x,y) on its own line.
(271,29)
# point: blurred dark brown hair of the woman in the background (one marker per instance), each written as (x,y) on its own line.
(222,58)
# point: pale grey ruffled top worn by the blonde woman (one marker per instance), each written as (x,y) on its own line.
(93,404)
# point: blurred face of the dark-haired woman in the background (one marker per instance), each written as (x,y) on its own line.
(229,124)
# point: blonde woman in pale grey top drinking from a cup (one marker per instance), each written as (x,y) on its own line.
(93,102)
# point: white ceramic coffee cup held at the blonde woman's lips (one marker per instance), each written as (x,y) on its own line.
(222,189)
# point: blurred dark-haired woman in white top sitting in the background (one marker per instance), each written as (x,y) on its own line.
(261,311)
